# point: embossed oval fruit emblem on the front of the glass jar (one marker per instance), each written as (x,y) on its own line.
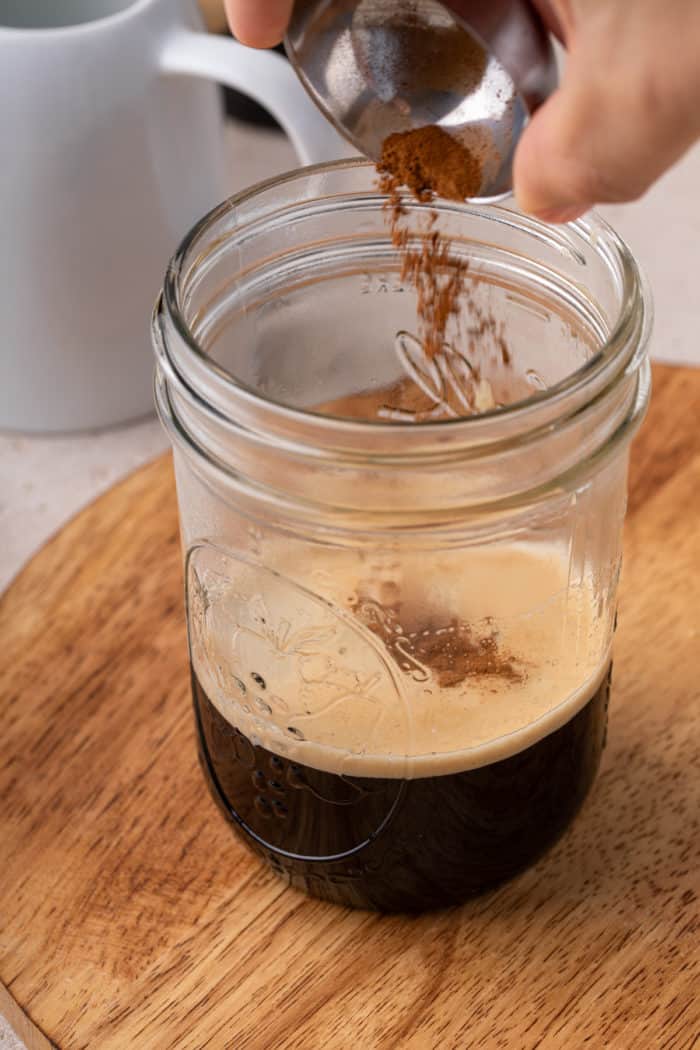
(270,661)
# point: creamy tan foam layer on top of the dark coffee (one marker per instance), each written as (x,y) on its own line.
(305,680)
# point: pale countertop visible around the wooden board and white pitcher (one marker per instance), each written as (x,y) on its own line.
(46,481)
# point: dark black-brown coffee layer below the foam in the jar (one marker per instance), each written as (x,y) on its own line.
(398,845)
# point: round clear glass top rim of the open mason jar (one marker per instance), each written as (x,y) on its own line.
(630,333)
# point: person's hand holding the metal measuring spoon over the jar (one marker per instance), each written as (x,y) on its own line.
(628,108)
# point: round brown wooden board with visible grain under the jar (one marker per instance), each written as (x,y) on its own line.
(131,917)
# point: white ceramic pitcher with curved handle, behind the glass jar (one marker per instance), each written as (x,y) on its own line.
(111,148)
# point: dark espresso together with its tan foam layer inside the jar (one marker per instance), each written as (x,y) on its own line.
(506,724)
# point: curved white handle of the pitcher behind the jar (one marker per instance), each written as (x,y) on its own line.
(264,76)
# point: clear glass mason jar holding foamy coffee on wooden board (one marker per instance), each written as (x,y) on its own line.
(400,621)
